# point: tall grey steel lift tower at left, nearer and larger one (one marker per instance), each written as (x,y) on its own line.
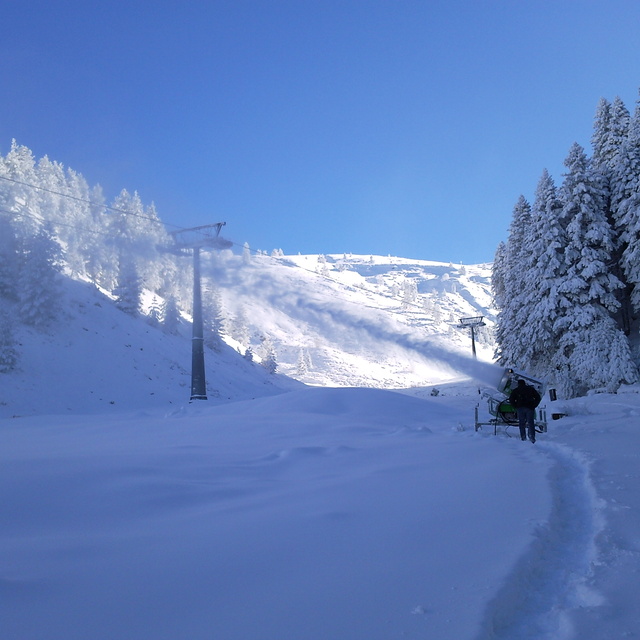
(195,239)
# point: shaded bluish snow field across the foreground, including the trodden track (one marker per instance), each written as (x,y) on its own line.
(321,513)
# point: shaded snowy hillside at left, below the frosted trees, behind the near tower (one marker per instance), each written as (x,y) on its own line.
(97,359)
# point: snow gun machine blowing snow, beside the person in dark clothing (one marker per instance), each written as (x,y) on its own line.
(502,412)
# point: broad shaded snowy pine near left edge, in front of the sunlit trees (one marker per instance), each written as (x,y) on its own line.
(39,289)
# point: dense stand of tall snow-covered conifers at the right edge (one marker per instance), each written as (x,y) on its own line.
(567,280)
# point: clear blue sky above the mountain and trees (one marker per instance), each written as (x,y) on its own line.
(398,127)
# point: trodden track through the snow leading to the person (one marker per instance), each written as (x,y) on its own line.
(551,579)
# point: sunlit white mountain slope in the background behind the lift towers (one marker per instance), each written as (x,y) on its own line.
(358,320)
